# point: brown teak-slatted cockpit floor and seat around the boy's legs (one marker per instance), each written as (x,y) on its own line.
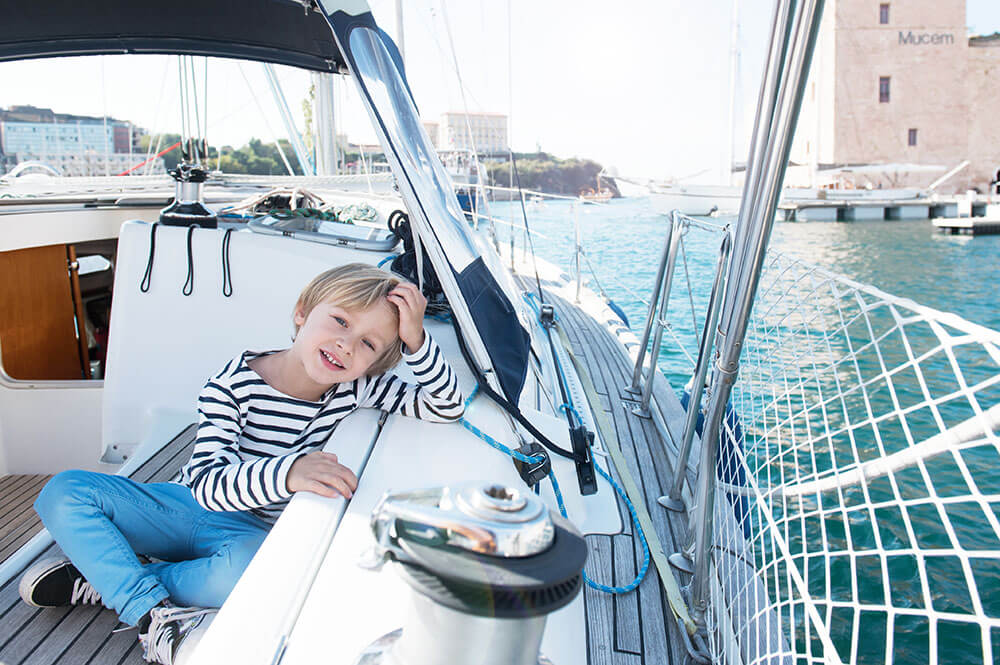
(78,635)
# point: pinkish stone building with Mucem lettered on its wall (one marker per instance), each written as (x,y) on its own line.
(899,83)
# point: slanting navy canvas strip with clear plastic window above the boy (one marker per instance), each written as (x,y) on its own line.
(428,192)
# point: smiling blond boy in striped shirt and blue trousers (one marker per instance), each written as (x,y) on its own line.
(263,421)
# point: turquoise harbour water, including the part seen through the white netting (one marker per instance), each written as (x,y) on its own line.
(624,239)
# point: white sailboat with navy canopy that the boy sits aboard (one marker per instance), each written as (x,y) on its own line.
(537,529)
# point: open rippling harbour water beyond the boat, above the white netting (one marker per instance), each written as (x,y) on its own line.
(910,259)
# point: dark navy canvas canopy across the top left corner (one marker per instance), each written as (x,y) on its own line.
(283,32)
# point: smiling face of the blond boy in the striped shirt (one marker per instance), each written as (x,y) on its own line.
(337,345)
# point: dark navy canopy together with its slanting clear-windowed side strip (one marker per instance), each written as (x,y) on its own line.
(321,35)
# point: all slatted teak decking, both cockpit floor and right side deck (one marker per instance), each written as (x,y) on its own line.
(634,629)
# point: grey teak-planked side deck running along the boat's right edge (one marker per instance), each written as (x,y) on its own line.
(636,628)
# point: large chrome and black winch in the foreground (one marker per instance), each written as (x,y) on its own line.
(487,564)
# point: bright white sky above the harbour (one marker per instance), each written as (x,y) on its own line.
(643,89)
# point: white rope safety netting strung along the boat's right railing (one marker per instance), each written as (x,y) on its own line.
(859,485)
